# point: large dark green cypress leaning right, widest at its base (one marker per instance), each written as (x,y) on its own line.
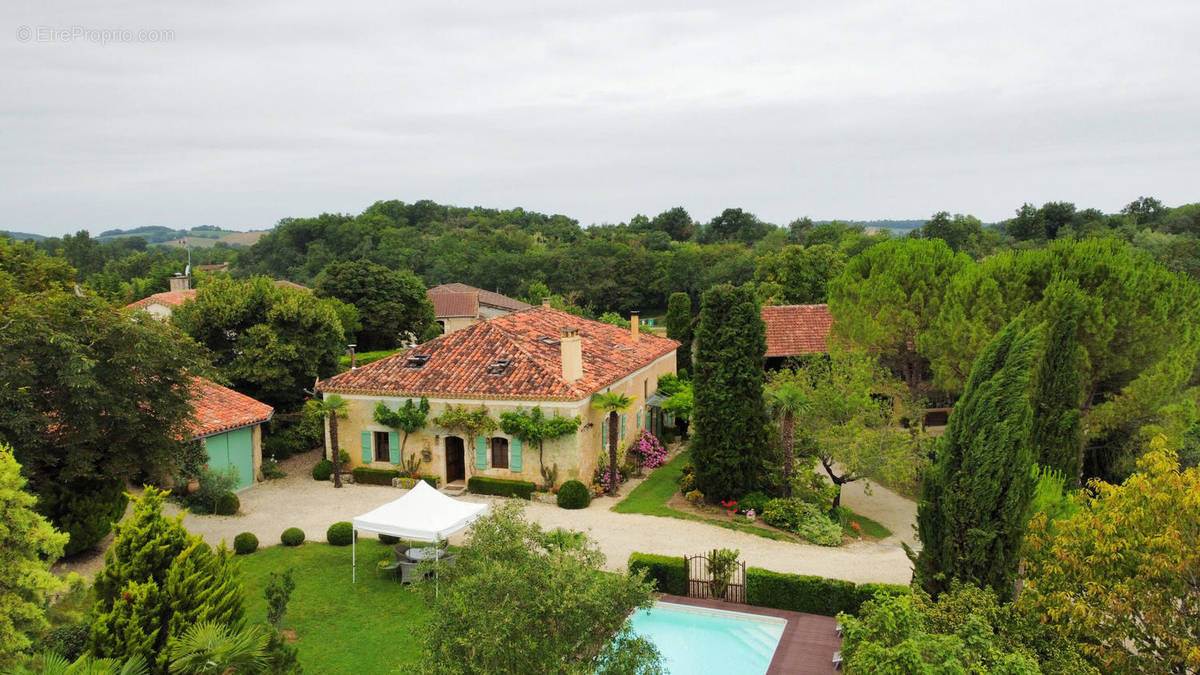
(973,515)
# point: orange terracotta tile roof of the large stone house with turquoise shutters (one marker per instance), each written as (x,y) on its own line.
(459,363)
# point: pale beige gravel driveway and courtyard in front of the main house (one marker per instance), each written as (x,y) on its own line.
(299,501)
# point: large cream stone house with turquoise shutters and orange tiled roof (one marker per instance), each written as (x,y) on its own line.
(536,357)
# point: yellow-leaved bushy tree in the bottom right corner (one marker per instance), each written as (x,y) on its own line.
(1121,577)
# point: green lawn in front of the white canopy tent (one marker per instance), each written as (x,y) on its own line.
(374,626)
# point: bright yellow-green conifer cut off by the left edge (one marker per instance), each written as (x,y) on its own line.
(29,546)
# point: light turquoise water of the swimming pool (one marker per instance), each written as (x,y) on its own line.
(697,641)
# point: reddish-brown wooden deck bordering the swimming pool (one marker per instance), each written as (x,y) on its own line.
(807,647)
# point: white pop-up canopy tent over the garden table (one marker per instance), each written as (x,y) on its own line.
(424,515)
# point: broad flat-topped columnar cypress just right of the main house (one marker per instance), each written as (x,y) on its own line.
(729,416)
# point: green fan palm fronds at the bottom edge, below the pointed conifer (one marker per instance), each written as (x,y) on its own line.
(215,649)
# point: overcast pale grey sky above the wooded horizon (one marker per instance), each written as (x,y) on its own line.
(250,112)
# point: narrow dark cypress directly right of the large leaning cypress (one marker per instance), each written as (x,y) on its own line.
(1059,387)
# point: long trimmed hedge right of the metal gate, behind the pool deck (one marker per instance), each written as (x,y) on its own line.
(812,595)
